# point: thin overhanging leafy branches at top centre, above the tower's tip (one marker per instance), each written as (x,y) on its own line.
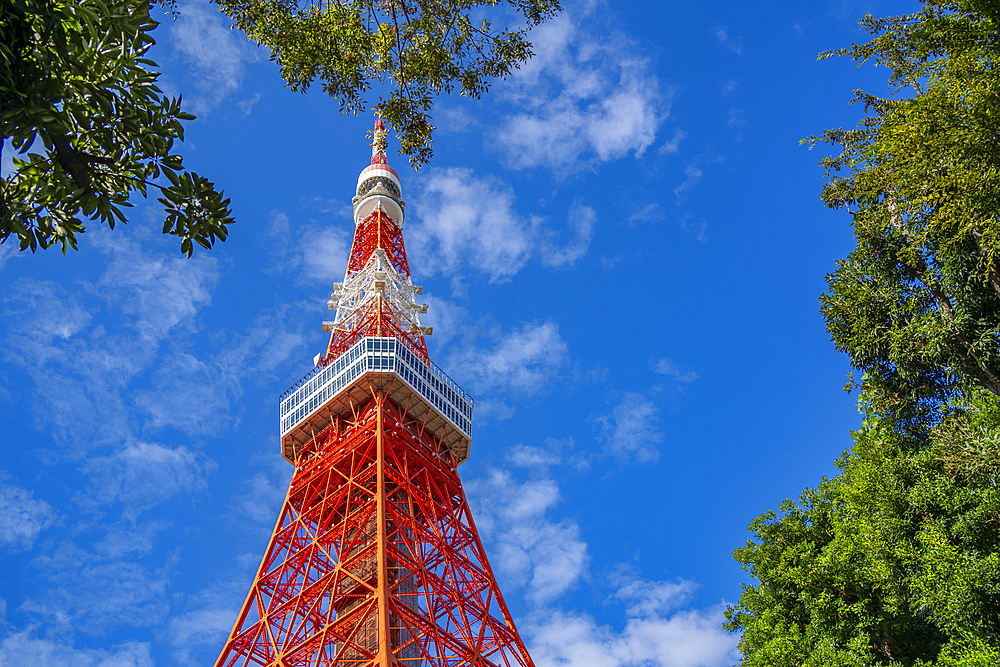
(419,48)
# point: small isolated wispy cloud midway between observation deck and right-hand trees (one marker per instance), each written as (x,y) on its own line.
(630,432)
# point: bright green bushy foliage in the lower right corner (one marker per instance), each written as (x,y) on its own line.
(895,561)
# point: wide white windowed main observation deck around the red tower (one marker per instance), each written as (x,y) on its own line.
(381,363)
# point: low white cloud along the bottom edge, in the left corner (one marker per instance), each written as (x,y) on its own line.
(22,649)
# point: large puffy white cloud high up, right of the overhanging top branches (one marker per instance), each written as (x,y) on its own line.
(588,97)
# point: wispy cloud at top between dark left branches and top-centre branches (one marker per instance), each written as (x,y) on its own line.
(215,55)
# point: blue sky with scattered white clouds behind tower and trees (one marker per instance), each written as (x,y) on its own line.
(622,247)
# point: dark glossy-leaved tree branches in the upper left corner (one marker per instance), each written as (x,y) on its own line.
(74,78)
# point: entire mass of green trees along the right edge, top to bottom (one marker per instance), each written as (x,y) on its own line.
(896,560)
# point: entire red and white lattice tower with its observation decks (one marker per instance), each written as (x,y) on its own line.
(375,560)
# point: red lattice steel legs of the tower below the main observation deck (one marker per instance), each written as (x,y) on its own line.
(375,559)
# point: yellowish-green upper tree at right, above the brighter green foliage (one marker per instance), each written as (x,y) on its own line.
(917,304)
